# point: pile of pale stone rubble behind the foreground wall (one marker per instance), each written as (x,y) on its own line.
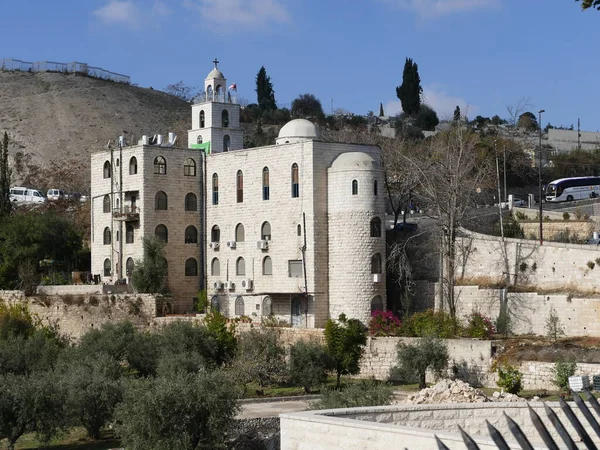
(456,391)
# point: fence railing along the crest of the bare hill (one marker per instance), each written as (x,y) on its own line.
(71,67)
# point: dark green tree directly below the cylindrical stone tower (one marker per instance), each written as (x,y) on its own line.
(345,340)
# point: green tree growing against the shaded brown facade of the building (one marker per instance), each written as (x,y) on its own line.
(150,273)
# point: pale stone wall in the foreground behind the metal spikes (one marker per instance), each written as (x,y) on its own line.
(414,427)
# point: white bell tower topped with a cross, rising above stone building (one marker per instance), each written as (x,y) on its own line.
(216,116)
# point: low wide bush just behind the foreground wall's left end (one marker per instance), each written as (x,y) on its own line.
(362,393)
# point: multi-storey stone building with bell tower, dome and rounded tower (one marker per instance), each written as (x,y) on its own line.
(292,230)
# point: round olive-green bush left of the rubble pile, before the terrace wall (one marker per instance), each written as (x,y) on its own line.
(415,359)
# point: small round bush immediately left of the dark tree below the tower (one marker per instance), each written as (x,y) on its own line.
(308,364)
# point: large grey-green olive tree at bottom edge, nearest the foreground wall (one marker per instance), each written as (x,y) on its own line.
(181,412)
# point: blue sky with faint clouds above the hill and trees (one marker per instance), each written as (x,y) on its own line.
(479,54)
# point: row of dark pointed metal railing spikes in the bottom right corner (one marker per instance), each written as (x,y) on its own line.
(542,429)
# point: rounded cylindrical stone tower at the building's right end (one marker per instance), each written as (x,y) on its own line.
(356,236)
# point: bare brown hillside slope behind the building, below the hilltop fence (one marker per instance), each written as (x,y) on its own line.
(51,115)
